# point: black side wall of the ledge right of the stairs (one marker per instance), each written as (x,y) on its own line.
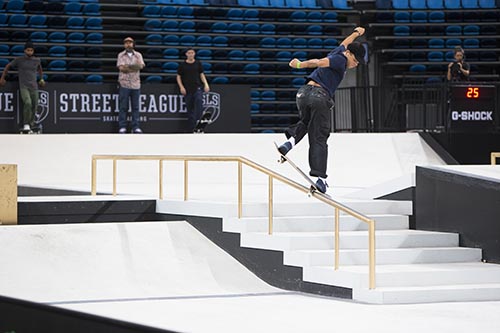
(470,206)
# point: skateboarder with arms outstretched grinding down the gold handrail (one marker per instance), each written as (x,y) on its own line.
(315,102)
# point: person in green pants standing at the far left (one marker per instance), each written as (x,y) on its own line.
(28,66)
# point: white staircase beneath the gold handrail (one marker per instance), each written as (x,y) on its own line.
(412,266)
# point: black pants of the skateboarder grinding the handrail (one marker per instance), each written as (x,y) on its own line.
(315,110)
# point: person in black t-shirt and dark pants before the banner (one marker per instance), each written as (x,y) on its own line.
(192,83)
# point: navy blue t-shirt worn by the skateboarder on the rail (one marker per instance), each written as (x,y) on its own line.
(330,77)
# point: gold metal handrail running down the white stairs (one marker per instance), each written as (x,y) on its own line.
(272,176)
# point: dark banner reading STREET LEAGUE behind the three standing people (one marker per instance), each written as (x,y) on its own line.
(93,108)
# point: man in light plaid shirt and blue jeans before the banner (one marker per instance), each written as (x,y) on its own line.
(129,63)
